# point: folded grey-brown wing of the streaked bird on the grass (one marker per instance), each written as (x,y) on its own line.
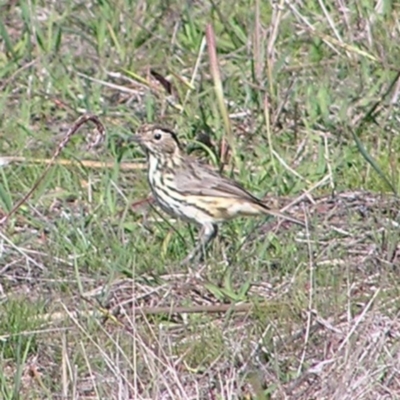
(200,180)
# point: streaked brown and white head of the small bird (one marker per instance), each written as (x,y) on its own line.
(157,141)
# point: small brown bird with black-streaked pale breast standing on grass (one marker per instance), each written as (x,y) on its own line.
(186,188)
